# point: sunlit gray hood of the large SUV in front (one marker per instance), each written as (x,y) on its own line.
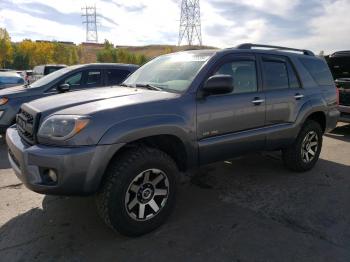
(88,101)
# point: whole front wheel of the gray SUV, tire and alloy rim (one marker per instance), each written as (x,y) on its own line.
(139,191)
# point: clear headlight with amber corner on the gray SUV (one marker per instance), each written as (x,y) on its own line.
(62,127)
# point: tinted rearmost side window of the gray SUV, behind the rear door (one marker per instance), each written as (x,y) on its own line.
(319,71)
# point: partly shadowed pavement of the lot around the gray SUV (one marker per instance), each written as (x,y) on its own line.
(247,209)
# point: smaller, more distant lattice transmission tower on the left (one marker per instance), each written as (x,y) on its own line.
(90,20)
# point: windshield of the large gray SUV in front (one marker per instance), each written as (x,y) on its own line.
(173,72)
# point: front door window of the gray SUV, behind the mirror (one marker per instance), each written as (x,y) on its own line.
(243,74)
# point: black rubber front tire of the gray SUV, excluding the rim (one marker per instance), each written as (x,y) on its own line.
(112,197)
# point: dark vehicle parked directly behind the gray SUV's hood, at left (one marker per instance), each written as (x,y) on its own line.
(72,78)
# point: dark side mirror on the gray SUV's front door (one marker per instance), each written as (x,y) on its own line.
(218,84)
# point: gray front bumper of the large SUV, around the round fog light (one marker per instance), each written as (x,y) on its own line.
(79,170)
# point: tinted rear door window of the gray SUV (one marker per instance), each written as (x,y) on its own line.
(275,75)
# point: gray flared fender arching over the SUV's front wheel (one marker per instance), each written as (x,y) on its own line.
(145,126)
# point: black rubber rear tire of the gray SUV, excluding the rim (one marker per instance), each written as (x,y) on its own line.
(293,156)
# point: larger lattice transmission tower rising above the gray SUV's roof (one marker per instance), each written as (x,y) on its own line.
(190,22)
